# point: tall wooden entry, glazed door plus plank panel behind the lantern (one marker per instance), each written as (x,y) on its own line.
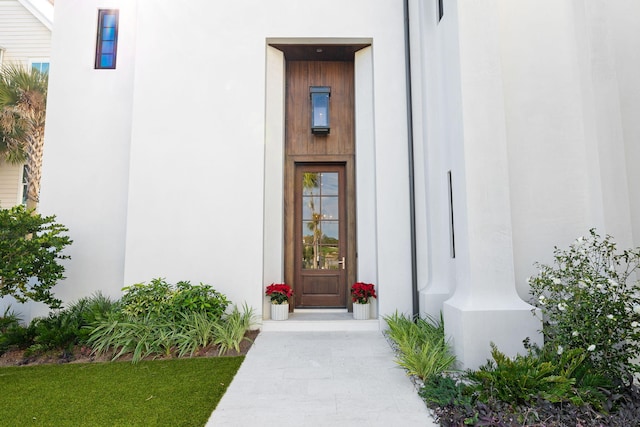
(319,188)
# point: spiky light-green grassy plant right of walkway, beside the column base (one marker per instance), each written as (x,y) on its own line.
(422,348)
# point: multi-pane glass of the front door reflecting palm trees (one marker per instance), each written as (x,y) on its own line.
(320,221)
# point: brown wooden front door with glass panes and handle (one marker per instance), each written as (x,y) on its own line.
(320,235)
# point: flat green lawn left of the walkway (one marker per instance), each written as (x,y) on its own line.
(177,392)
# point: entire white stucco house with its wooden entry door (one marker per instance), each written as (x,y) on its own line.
(181,148)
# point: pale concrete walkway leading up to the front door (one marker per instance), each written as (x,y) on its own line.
(321,379)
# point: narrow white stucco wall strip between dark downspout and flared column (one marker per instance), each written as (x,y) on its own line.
(436,109)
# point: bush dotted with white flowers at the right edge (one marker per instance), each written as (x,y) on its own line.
(589,302)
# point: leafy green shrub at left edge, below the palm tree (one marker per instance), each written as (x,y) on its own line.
(30,251)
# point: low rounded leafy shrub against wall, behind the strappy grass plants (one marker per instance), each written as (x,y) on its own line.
(163,300)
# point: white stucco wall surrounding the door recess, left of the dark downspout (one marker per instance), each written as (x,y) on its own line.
(179,179)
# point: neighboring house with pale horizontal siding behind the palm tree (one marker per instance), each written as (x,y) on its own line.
(25,38)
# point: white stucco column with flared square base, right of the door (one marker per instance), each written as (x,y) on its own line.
(485,306)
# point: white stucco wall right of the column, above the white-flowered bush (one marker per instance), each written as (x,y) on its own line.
(572,144)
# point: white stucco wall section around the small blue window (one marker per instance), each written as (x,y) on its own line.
(87,144)
